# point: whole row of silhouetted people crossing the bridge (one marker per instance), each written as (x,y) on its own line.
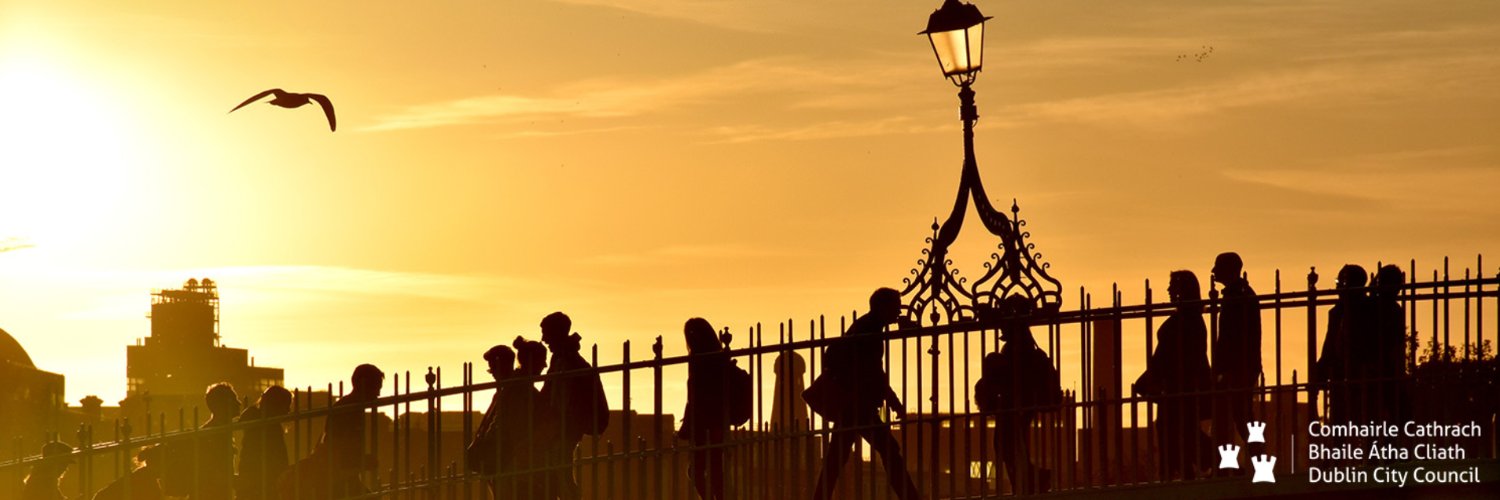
(529,438)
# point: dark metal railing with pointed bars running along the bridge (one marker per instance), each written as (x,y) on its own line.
(1100,435)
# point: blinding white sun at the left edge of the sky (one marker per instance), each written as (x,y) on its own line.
(67,154)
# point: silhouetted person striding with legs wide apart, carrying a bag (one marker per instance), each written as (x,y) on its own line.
(854,369)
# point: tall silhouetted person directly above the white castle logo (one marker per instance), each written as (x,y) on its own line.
(1237,352)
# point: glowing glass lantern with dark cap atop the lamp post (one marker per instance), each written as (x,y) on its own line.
(958,35)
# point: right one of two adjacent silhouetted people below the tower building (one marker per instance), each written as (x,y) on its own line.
(263,451)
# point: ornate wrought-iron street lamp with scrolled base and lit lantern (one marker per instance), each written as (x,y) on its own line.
(956,32)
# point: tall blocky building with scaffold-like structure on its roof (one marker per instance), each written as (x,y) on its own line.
(184,357)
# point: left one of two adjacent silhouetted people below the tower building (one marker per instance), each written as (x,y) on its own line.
(217,448)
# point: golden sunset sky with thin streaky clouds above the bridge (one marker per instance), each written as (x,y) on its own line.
(637,163)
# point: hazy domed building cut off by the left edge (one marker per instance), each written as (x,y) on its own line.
(32,400)
